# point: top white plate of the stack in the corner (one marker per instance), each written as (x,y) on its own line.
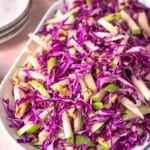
(11,10)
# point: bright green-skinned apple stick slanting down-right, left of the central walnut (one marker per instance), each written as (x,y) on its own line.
(40,88)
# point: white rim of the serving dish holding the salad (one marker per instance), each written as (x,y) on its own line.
(6,86)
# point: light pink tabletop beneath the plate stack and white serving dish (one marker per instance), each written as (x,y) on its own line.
(10,50)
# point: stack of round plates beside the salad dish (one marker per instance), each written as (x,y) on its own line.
(14,16)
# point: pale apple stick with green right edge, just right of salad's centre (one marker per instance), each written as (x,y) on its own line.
(90,81)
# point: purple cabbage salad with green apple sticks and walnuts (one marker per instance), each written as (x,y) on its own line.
(87,85)
